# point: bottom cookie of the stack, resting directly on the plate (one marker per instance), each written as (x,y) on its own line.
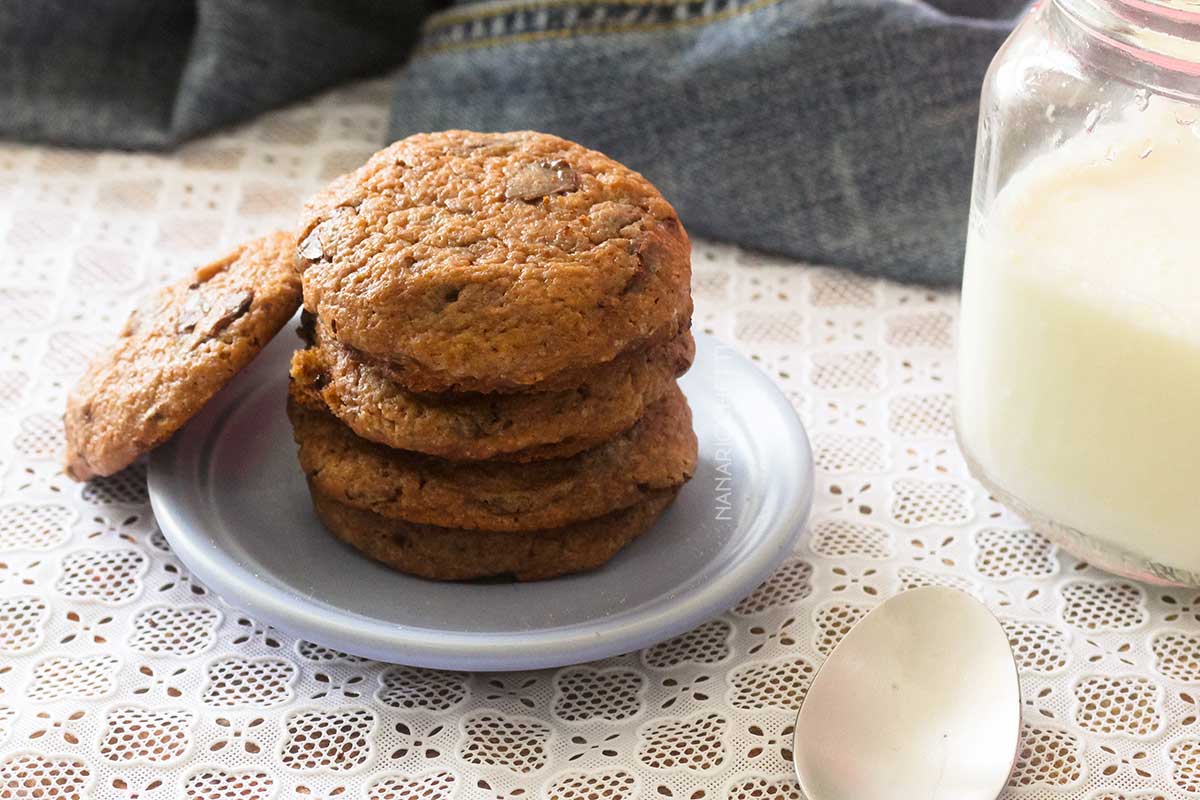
(455,555)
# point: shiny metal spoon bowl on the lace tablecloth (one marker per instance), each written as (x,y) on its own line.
(921,700)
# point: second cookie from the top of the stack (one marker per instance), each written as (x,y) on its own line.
(532,426)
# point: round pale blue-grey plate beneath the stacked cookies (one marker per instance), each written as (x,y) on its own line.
(231,498)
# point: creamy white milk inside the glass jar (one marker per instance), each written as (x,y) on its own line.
(1079,369)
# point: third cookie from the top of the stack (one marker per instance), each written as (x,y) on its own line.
(657,454)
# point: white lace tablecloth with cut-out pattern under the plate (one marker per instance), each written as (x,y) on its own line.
(123,677)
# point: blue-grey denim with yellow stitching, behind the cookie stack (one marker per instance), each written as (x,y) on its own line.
(838,133)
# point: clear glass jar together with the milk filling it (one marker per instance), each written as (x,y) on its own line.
(1079,347)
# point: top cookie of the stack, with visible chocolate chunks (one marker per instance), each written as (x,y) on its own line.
(491,262)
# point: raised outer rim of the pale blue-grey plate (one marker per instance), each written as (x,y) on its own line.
(669,616)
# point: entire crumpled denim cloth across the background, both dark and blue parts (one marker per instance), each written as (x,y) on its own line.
(835,131)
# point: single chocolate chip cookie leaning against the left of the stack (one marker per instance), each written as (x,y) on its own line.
(176,353)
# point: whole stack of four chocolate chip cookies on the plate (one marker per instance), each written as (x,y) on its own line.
(495,328)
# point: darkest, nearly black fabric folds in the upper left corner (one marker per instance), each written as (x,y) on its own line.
(151,75)
